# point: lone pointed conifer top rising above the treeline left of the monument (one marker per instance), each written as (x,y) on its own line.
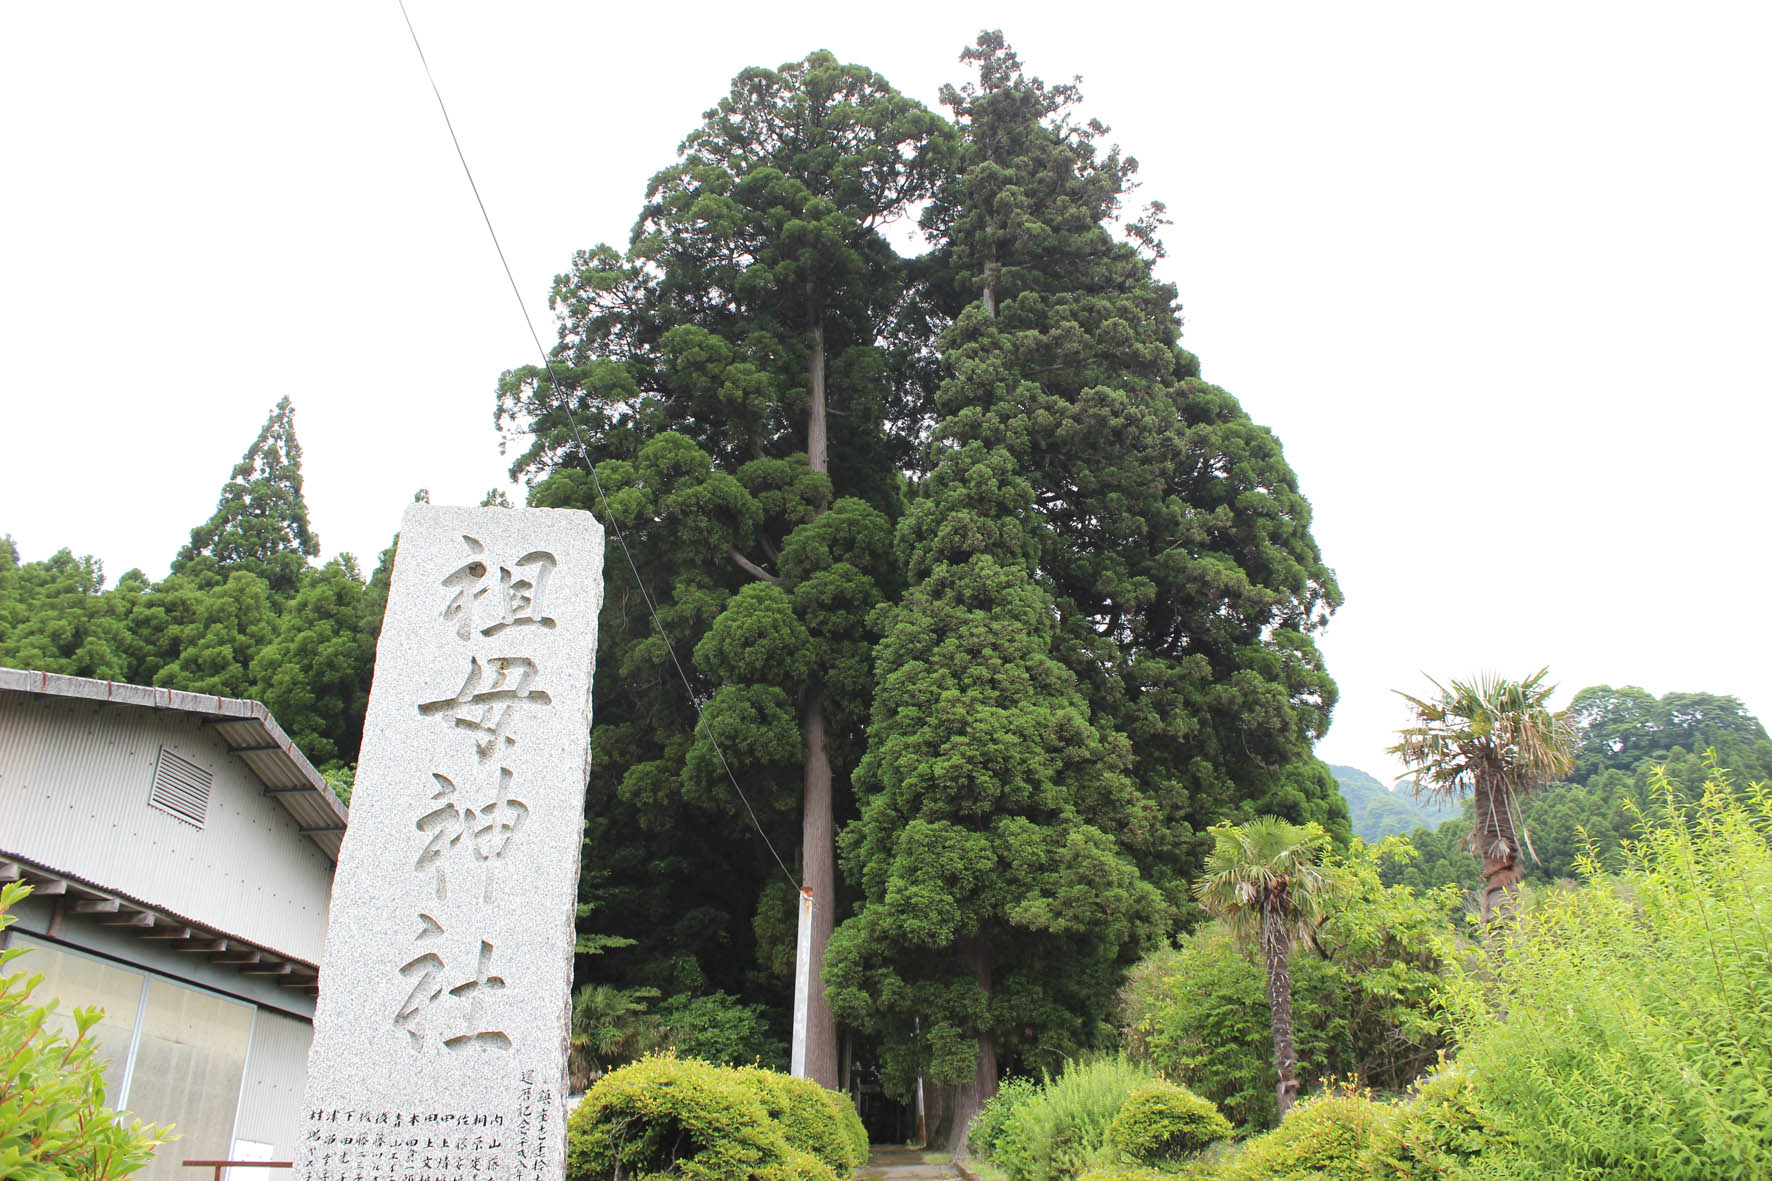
(261,522)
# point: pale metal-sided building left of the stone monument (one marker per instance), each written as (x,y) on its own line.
(182,854)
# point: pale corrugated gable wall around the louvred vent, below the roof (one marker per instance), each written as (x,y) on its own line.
(75,779)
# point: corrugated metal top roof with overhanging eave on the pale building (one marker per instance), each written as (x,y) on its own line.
(249,730)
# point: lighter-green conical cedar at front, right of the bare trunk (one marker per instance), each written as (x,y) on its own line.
(999,907)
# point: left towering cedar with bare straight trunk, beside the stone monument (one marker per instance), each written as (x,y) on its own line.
(743,377)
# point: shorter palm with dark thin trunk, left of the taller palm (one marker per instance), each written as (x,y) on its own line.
(1266,880)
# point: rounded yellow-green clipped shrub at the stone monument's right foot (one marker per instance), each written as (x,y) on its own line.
(681,1118)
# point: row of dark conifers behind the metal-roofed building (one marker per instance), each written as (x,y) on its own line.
(242,614)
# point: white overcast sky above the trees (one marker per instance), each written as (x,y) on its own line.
(1498,276)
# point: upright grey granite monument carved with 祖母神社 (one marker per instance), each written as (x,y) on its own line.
(444,1008)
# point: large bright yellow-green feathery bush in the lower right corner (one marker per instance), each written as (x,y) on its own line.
(1638,1033)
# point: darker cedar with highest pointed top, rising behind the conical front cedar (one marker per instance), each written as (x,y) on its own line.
(1172,533)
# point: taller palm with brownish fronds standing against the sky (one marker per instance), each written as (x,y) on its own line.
(1496,740)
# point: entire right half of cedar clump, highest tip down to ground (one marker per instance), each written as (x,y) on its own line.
(1158,584)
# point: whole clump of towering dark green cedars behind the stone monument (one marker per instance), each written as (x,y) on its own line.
(763,387)
